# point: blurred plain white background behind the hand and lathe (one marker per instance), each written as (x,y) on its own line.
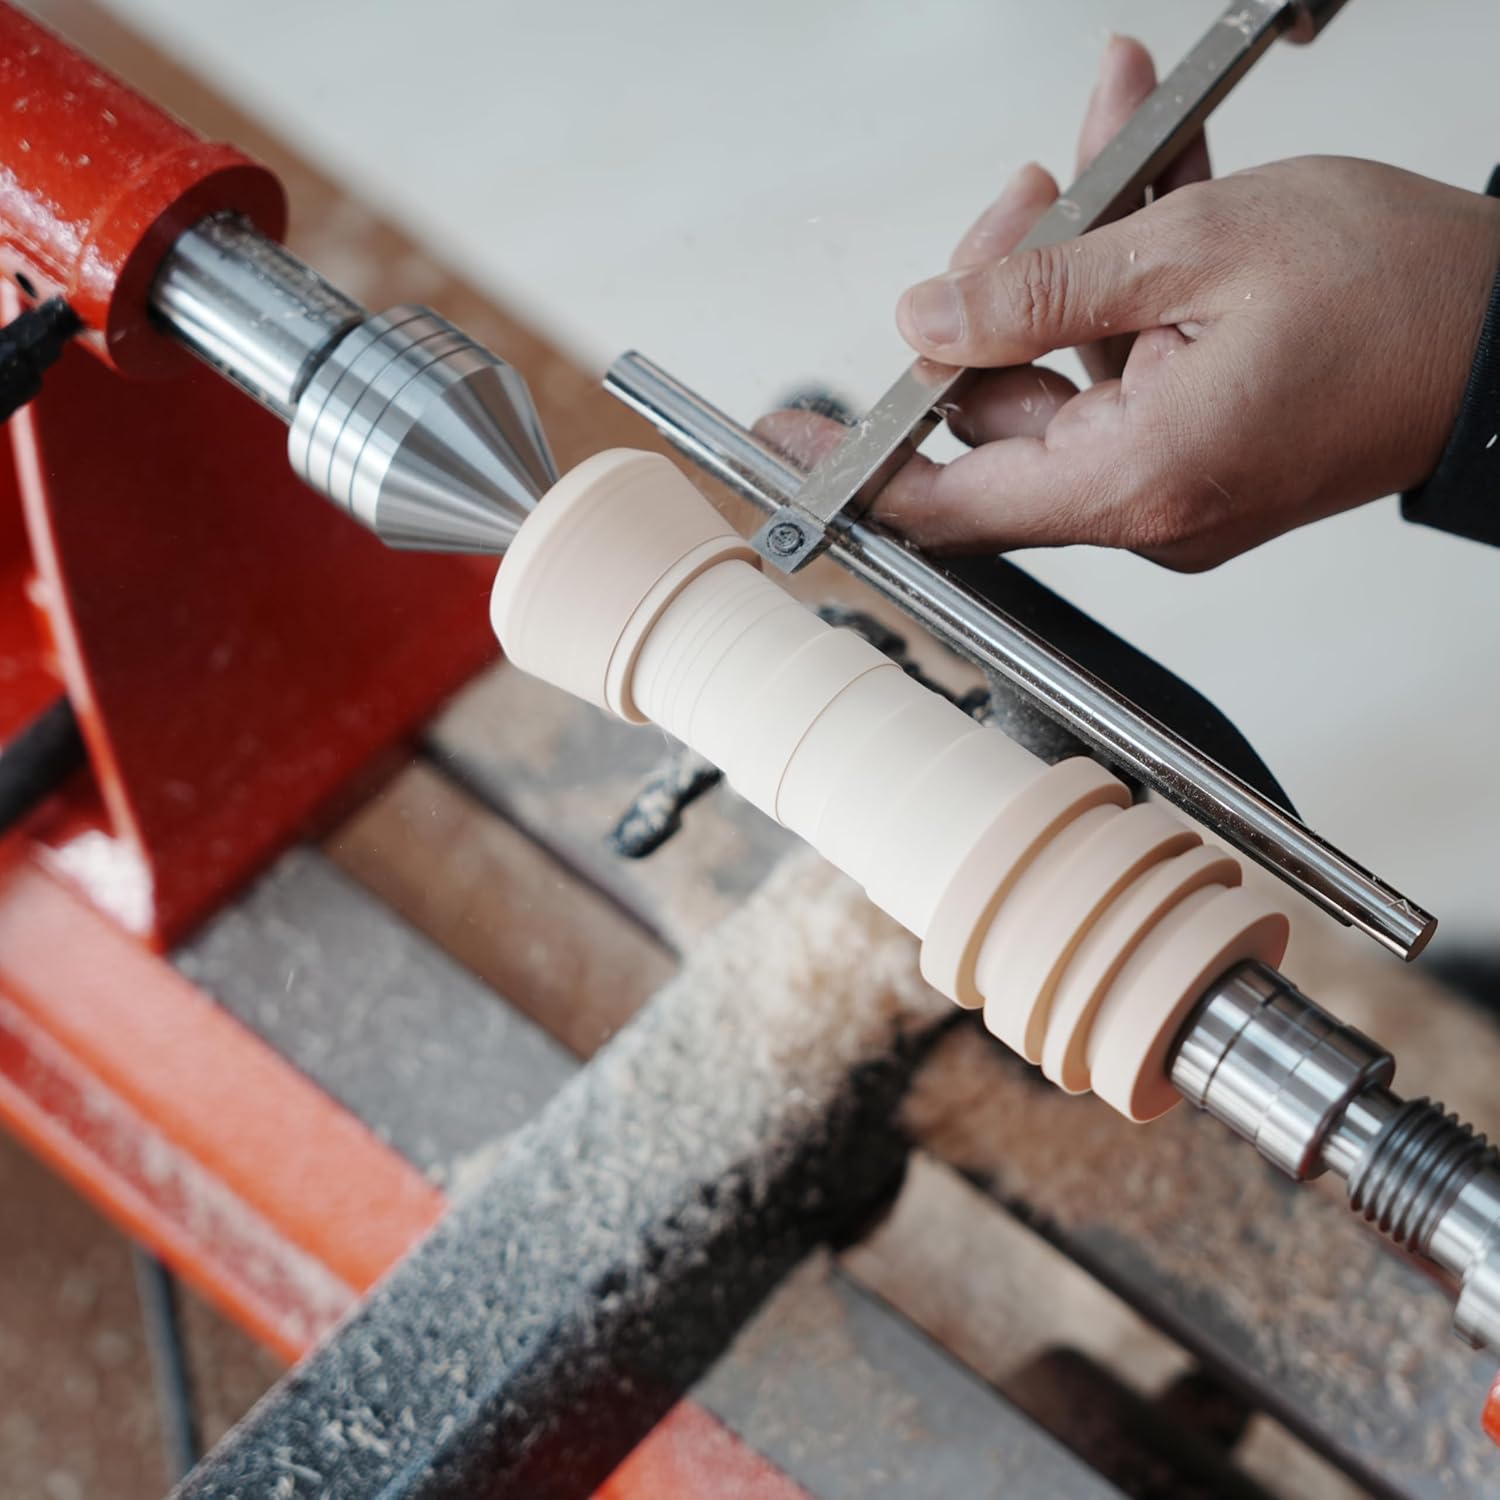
(743,190)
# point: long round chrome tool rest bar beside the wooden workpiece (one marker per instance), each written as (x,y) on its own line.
(1108,722)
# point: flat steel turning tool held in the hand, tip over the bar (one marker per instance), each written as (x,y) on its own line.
(850,478)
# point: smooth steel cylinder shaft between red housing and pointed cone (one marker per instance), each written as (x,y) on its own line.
(251,310)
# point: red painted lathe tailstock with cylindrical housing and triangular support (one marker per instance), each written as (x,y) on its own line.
(235,649)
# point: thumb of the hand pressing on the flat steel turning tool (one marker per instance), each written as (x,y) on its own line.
(1123,278)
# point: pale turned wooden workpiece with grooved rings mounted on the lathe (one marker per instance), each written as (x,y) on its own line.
(1084,926)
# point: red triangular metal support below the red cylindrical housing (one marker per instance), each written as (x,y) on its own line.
(236,650)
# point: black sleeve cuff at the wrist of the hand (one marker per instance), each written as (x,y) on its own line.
(1463,496)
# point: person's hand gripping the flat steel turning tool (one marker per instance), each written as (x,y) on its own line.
(1267,350)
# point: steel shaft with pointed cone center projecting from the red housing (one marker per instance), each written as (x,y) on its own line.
(404,422)
